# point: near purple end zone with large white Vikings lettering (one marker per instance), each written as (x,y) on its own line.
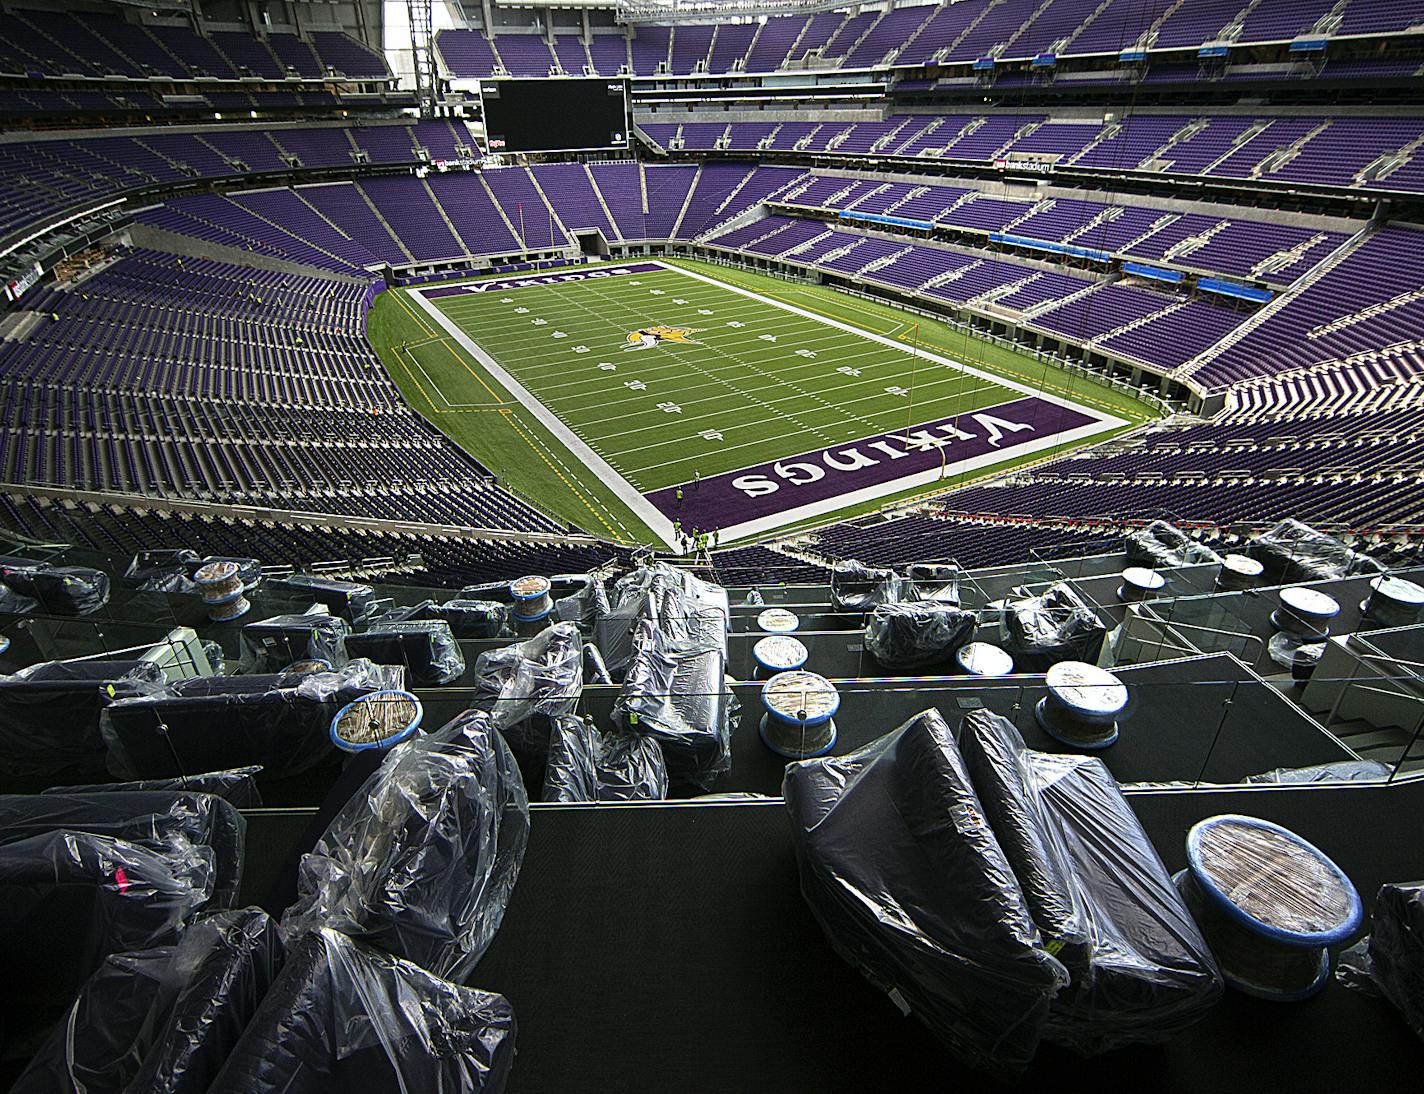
(737,498)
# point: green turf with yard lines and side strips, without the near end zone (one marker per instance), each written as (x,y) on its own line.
(679,373)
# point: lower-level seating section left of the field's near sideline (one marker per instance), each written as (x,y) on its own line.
(206,380)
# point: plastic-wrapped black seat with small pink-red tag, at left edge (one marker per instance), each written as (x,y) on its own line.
(69,901)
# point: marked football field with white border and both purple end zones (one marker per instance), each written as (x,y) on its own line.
(663,381)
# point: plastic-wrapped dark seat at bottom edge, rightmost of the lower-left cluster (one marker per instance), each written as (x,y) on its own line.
(342,1018)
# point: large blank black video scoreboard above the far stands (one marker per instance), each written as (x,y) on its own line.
(555,116)
